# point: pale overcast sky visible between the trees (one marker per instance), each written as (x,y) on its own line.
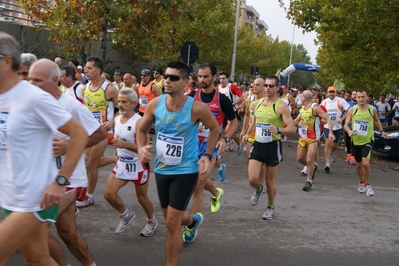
(279,26)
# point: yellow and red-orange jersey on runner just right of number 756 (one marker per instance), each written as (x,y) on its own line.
(309,128)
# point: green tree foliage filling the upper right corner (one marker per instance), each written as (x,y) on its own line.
(358,39)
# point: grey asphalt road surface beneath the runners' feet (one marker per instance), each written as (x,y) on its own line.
(331,225)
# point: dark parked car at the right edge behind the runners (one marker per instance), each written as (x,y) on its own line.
(390,145)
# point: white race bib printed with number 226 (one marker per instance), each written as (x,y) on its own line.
(169,149)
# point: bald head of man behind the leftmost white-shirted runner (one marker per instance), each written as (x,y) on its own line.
(45,74)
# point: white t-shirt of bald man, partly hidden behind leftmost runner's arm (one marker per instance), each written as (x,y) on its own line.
(84,117)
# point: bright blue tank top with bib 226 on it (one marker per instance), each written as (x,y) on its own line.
(176,139)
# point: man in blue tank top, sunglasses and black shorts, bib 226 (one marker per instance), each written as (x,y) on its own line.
(176,162)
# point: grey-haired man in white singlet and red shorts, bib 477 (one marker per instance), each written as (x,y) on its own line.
(128,167)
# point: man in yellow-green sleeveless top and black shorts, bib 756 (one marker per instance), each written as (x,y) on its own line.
(270,113)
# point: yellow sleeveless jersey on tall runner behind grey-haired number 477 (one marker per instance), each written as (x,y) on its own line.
(98,105)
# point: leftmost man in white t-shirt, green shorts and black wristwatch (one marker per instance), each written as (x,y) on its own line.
(31,185)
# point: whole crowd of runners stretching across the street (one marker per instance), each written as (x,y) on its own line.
(56,122)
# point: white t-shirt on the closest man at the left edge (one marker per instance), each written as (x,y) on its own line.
(28,119)
